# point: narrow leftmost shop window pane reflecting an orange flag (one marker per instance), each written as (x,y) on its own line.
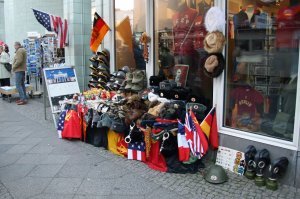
(130,23)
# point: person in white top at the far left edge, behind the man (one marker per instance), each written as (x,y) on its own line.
(4,73)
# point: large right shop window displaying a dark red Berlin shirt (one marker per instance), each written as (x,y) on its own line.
(263,63)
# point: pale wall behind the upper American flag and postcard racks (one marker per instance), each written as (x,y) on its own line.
(19,18)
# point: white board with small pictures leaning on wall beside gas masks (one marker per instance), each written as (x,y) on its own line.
(231,160)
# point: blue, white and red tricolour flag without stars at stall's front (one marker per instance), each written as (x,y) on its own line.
(183,146)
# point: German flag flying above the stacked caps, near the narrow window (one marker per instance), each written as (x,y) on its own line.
(100,28)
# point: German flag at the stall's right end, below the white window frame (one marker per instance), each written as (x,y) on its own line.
(210,128)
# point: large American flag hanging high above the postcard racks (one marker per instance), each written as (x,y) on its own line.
(54,24)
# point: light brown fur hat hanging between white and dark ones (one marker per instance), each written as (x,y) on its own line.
(214,42)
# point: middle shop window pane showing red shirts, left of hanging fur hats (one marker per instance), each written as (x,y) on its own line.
(179,33)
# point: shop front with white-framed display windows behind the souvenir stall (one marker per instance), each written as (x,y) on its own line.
(256,97)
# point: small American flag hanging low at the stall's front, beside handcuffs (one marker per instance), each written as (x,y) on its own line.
(136,151)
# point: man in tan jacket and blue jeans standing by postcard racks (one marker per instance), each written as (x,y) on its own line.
(19,68)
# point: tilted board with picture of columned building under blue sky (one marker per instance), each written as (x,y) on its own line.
(61,83)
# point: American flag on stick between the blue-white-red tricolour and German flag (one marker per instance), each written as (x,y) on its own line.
(197,144)
